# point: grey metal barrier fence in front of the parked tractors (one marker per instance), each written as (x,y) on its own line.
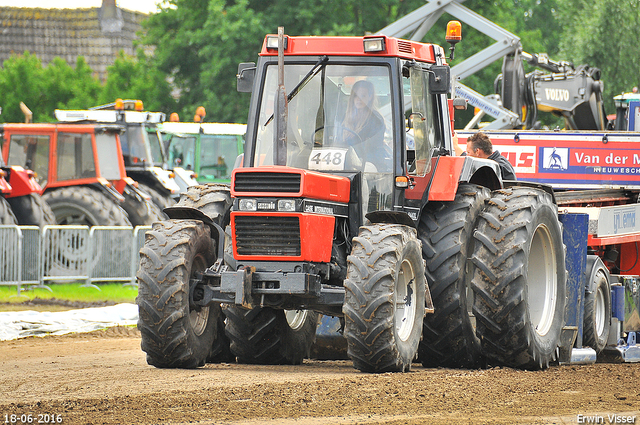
(33,256)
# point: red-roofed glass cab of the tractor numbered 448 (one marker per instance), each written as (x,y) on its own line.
(376,108)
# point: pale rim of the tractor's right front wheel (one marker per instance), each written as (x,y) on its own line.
(405,295)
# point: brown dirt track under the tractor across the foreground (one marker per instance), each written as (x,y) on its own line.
(103,378)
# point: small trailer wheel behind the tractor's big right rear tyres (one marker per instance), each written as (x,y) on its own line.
(597,306)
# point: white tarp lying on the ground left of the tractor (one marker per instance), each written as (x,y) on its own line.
(21,324)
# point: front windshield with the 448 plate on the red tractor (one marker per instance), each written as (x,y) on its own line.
(340,119)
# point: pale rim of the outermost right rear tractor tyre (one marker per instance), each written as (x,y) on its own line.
(542,281)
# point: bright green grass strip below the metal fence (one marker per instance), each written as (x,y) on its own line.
(115,292)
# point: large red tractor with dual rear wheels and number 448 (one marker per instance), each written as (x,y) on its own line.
(350,203)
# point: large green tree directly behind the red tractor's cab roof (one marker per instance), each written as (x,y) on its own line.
(199,43)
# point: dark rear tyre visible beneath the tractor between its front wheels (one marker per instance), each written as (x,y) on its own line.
(270,336)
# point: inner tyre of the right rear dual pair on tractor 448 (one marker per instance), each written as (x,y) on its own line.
(446,231)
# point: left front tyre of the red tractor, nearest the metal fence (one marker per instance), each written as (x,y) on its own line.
(174,333)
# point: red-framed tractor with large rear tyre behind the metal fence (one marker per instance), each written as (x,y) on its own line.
(81,169)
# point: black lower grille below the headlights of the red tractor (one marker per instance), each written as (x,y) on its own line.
(267,235)
